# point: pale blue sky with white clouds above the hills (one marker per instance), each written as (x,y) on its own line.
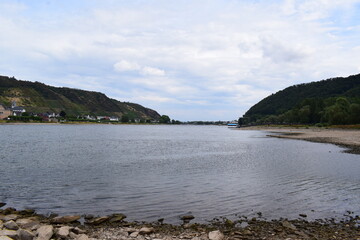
(192,60)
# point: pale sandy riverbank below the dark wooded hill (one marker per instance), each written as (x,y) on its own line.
(349,139)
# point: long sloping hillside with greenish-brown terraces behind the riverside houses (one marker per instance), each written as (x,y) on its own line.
(40,98)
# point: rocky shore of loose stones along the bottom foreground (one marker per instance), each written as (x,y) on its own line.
(28,225)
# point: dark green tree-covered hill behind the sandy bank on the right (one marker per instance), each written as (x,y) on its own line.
(310,103)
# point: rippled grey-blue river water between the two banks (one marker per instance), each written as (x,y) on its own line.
(153,171)
